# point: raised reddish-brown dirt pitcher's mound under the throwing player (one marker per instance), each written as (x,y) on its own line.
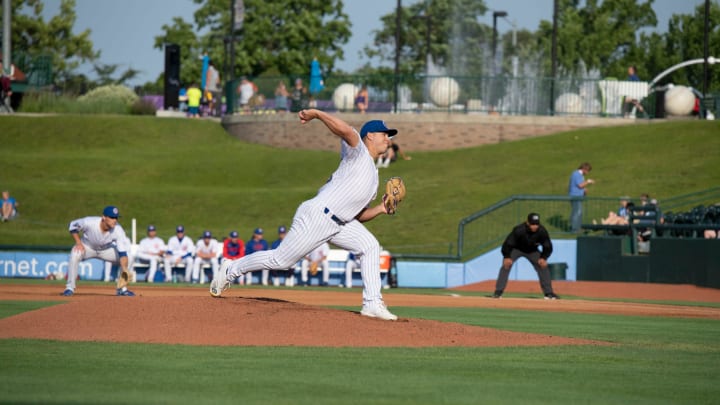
(240,321)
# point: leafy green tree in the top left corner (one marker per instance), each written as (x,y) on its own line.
(33,35)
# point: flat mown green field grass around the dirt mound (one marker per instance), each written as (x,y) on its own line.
(652,360)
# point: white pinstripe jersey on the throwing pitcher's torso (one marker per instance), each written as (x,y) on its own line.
(353,185)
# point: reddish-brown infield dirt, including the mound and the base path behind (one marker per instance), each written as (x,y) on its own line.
(298,317)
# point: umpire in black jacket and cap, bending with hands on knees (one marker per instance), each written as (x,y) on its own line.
(524,241)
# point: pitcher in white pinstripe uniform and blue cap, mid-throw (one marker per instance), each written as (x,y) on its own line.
(335,215)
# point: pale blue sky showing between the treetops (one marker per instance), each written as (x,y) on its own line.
(125,31)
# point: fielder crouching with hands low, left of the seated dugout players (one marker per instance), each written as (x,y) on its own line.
(102,238)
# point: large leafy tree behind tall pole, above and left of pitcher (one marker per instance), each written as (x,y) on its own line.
(281,35)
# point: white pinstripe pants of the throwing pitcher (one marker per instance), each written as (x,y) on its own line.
(310,228)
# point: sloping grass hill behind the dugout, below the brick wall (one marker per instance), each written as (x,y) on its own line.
(191,172)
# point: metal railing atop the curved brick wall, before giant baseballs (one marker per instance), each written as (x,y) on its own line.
(470,94)
